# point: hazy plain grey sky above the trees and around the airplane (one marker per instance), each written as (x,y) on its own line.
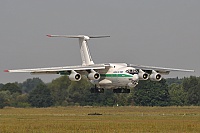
(162,33)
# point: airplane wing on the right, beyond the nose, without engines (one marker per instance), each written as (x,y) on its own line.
(161,70)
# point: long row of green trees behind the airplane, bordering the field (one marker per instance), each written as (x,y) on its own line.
(63,92)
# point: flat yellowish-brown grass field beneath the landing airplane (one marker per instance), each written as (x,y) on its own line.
(113,119)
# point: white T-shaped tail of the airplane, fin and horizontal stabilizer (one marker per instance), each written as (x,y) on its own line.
(84,50)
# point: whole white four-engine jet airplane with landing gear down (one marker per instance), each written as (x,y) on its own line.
(119,77)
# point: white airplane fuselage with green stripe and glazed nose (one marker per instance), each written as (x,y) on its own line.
(117,75)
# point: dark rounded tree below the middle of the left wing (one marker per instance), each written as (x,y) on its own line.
(40,97)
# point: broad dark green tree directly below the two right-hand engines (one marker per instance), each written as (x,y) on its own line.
(151,93)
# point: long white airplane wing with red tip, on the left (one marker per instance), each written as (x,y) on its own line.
(59,70)
